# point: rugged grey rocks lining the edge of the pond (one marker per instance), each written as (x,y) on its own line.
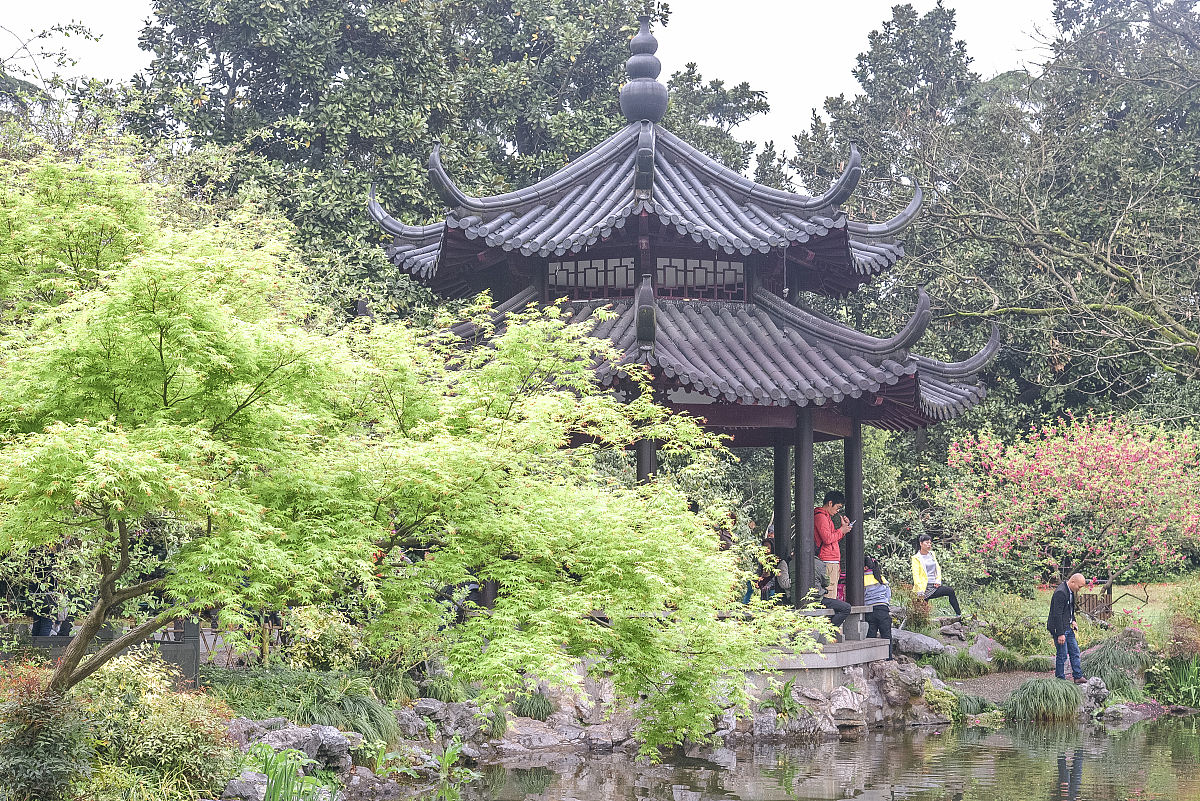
(891,695)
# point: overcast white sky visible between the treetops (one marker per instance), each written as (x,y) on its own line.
(796,51)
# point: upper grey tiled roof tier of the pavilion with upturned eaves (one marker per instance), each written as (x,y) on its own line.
(645,168)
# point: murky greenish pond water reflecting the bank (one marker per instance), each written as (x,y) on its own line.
(1150,761)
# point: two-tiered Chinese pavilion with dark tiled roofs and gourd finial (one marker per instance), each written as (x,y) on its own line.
(707,273)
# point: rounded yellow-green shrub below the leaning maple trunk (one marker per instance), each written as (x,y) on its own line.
(143,722)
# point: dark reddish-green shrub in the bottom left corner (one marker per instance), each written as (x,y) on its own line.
(45,739)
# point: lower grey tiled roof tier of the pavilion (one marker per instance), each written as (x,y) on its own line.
(753,356)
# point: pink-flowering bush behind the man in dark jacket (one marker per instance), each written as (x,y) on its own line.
(1101,497)
